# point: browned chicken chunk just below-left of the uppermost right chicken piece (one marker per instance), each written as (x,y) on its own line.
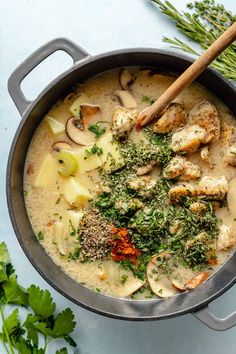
(188,139)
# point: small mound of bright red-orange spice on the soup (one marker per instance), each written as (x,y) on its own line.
(122,248)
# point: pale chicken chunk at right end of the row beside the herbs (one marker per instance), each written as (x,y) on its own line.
(213,187)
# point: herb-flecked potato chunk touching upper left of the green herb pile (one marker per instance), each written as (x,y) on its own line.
(111,157)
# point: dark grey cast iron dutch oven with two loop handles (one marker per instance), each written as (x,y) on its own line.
(84,67)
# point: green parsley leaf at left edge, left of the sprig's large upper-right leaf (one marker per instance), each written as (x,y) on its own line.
(14,293)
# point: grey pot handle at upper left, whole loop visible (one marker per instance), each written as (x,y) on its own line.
(32,61)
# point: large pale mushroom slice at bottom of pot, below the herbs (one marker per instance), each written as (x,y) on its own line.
(160,284)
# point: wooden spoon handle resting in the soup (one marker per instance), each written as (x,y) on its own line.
(187,77)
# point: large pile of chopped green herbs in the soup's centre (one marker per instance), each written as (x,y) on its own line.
(149,217)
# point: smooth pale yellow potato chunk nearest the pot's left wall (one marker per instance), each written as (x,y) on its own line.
(48,172)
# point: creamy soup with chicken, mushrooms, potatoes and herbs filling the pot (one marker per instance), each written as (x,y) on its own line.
(131,212)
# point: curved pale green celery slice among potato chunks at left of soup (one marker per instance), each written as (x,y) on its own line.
(68,162)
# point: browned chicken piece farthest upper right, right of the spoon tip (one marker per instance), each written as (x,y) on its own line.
(206,116)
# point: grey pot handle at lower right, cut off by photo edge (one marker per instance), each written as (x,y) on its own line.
(213,322)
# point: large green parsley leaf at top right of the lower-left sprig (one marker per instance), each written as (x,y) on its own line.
(41,302)
